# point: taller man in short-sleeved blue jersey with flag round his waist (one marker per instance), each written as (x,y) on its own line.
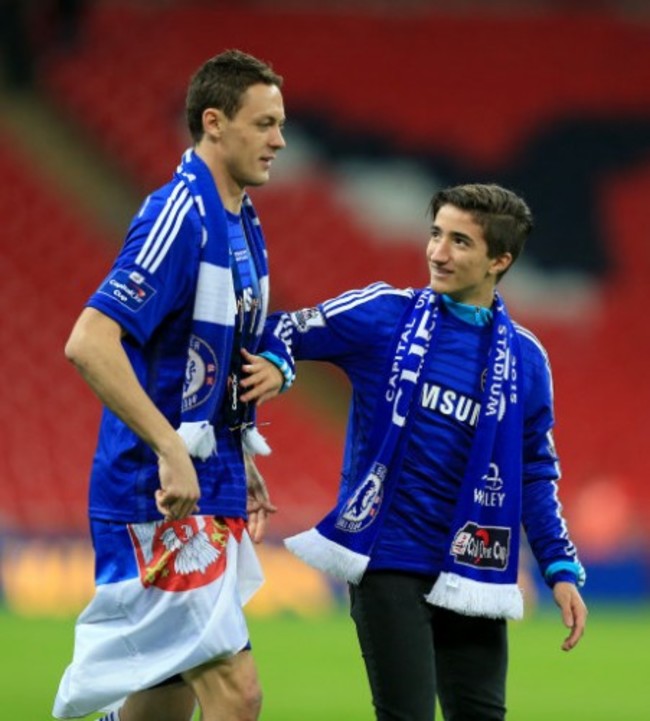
(165,342)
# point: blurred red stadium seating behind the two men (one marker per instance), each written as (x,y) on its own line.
(130,104)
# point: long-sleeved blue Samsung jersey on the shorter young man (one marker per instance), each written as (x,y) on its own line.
(354,332)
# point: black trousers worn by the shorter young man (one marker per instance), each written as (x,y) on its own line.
(414,651)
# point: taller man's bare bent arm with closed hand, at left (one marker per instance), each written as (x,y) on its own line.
(95,348)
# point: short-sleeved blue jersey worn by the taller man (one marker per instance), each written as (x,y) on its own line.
(150,292)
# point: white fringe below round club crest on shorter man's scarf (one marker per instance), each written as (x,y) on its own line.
(328,556)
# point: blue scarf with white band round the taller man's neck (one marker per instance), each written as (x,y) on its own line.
(210,347)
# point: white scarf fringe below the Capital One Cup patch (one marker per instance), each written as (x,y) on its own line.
(474,598)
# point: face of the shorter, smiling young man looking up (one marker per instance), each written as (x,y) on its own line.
(458,259)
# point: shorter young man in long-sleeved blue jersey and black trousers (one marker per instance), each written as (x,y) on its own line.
(449,450)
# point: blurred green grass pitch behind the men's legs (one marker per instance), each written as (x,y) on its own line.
(311,670)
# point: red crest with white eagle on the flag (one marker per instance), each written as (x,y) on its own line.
(180,555)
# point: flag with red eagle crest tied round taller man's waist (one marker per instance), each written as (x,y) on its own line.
(169,597)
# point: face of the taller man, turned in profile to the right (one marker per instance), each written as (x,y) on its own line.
(251,139)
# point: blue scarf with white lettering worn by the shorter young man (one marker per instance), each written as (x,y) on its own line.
(479,574)
